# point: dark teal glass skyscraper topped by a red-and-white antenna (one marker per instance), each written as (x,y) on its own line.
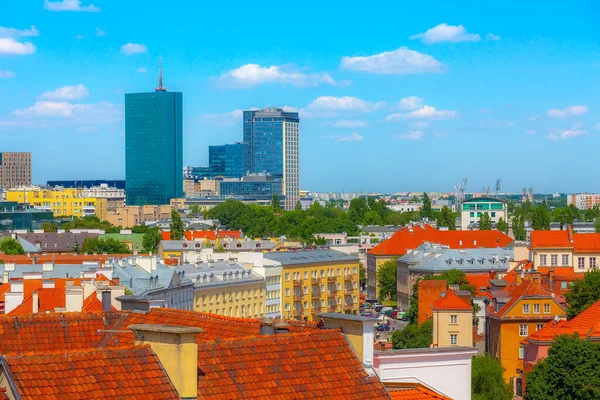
(153,146)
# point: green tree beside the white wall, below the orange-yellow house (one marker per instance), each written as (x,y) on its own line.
(487,382)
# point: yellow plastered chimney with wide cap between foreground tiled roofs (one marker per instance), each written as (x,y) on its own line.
(177,351)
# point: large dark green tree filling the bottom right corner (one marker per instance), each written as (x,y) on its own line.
(570,372)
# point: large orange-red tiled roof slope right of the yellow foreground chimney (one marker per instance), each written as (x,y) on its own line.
(299,366)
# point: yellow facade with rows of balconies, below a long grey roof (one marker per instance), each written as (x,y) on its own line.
(311,289)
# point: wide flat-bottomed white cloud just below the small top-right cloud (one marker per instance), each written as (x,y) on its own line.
(401,61)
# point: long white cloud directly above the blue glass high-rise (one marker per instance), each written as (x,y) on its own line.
(251,75)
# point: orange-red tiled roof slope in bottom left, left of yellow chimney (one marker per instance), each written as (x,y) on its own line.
(116,373)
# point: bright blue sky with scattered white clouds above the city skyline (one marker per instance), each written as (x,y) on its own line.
(392,97)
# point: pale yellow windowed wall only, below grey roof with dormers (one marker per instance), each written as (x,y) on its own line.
(237,300)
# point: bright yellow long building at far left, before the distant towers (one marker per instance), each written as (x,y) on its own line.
(63,203)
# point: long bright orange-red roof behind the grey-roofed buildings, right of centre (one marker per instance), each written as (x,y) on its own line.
(405,239)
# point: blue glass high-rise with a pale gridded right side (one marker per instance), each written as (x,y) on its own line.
(272,145)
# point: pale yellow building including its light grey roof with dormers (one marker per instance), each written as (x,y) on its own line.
(226,288)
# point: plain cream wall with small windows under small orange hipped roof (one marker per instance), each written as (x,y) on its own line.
(443,328)
